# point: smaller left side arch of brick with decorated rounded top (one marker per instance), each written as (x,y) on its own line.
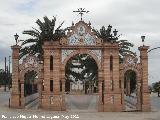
(29,64)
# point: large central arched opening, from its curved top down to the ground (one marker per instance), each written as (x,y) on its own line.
(81,86)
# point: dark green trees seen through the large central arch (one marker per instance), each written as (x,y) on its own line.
(82,67)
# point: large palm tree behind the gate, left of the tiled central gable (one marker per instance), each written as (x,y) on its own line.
(46,31)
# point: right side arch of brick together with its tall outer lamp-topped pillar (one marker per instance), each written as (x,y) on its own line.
(131,63)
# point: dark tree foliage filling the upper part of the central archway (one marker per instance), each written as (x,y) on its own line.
(85,64)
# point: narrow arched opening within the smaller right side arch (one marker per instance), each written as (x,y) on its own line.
(130,90)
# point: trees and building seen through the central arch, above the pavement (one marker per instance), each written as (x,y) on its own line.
(81,73)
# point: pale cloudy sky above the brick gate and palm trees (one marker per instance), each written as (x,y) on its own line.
(132,18)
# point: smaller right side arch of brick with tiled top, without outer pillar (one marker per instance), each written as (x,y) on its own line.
(137,69)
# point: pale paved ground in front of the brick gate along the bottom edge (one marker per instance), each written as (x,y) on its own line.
(83,115)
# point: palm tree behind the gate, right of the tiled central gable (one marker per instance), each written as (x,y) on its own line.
(106,36)
